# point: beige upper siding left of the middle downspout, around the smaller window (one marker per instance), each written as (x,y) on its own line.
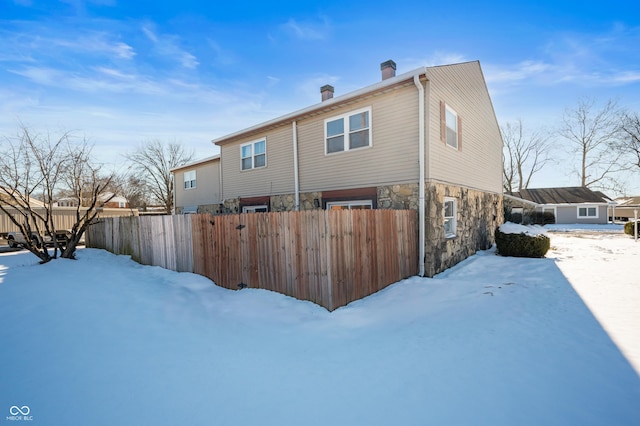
(276,178)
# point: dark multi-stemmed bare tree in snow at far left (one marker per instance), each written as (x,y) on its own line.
(31,164)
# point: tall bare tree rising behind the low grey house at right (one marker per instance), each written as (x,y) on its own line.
(593,133)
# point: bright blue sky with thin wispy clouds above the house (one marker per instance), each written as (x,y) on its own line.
(121,72)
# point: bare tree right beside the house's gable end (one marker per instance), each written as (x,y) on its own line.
(526,153)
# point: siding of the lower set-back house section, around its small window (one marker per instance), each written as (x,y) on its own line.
(207,190)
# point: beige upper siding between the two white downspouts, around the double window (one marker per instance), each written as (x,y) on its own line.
(392,158)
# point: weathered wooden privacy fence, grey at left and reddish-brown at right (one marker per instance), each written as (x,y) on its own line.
(330,257)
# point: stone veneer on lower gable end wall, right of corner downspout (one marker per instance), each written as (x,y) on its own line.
(478,214)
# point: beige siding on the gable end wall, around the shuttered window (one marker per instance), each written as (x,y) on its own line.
(478,164)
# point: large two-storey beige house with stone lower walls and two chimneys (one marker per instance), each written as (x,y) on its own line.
(426,140)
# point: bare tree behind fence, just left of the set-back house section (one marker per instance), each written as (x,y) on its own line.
(152,162)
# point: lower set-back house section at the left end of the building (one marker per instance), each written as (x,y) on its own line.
(197,187)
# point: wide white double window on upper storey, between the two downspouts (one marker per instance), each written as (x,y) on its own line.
(348,131)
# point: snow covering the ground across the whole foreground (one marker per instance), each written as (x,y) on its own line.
(495,341)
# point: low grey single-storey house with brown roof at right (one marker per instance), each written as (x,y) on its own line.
(569,205)
